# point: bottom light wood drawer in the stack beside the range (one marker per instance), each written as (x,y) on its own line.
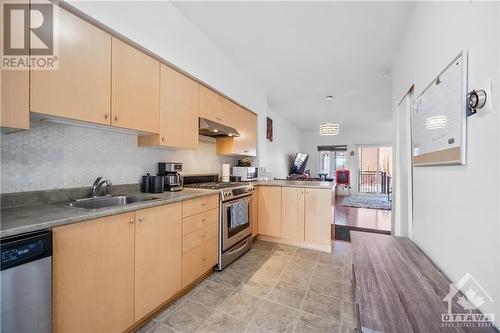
(198,260)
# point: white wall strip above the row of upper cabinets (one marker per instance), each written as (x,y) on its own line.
(161,28)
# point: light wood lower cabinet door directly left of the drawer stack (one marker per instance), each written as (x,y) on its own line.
(158,235)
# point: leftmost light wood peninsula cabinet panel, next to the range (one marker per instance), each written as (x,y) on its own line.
(270,211)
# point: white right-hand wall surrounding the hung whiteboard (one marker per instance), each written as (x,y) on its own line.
(456,215)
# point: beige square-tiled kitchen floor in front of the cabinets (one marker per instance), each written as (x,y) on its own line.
(272,288)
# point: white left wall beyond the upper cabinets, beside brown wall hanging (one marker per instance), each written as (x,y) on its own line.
(286,143)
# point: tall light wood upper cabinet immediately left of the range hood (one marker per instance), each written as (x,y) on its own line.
(179,110)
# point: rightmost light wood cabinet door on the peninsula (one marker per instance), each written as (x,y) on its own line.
(318,216)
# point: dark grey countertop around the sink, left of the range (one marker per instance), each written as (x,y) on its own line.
(18,220)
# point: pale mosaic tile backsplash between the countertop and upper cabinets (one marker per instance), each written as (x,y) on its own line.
(53,155)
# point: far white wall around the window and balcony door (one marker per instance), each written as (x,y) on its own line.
(352,137)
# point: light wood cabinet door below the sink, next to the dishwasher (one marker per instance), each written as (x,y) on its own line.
(93,275)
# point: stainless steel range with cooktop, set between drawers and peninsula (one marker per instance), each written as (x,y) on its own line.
(235,220)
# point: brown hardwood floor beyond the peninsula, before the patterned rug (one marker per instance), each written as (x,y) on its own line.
(360,219)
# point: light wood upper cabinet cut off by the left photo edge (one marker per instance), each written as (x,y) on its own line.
(14,113)
